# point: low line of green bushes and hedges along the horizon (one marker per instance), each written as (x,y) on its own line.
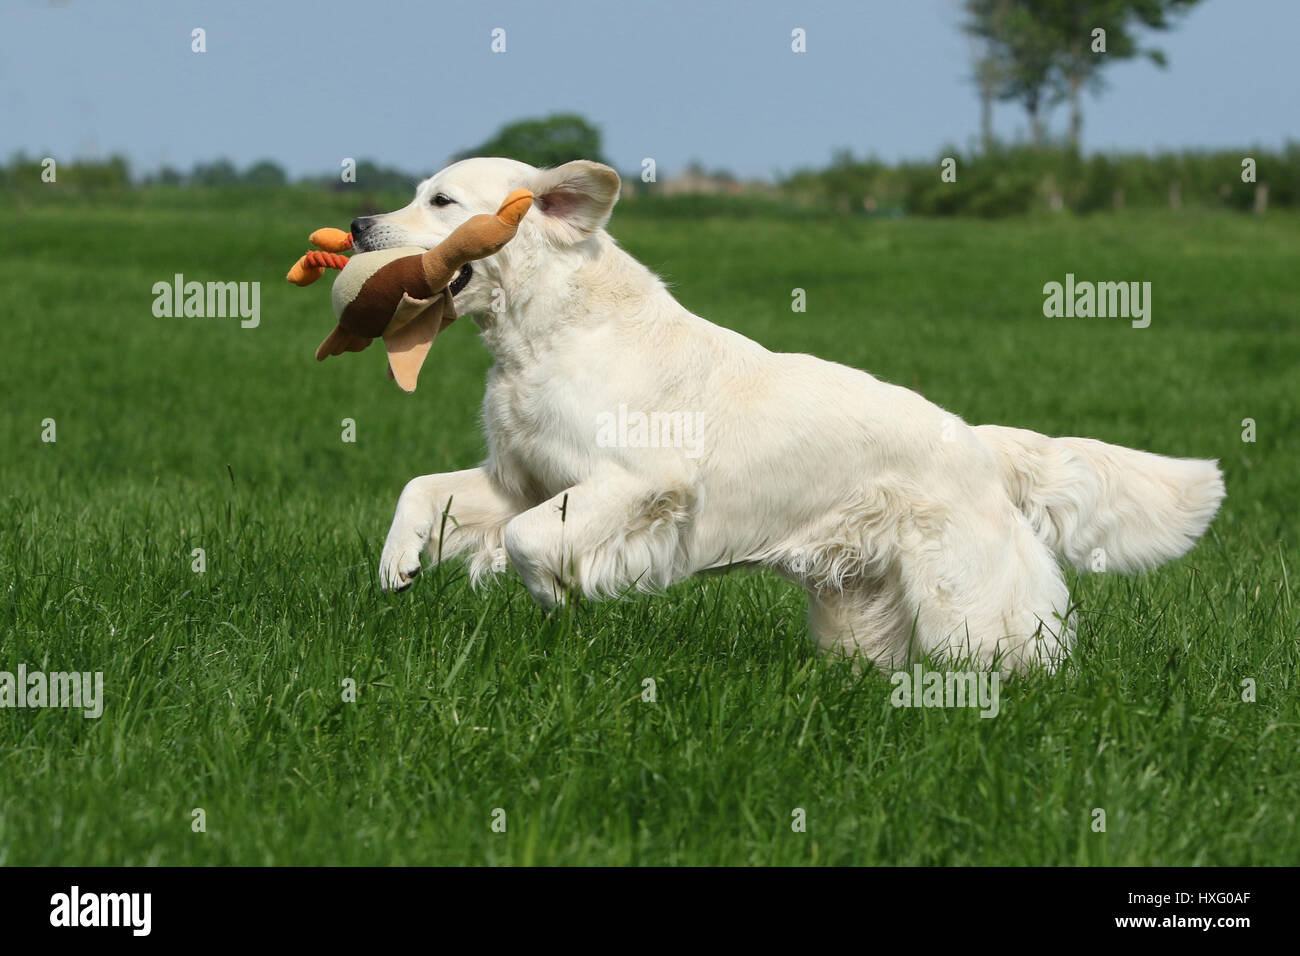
(995,180)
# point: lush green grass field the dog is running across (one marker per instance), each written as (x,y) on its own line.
(223,690)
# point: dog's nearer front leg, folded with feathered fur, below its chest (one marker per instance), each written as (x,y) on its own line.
(600,539)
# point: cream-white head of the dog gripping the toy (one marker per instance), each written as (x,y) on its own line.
(571,204)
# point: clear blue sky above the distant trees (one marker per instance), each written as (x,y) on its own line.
(411,83)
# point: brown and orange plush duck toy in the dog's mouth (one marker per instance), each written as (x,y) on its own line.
(404,295)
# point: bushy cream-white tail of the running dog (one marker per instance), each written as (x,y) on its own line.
(1106,508)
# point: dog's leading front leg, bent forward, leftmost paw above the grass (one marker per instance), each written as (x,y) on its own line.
(447,516)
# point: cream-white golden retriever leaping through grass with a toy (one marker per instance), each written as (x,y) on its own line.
(912,531)
